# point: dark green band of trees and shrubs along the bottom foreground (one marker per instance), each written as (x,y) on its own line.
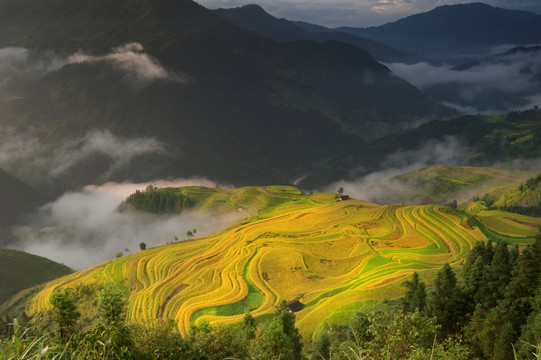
(492,313)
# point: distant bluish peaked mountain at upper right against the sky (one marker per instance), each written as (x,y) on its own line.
(454,30)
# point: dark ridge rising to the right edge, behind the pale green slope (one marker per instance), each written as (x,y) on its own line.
(478,140)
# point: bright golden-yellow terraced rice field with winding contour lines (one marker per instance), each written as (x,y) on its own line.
(333,256)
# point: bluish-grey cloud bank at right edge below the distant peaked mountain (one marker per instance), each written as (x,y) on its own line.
(507,82)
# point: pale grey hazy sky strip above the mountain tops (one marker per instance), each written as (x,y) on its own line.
(358,13)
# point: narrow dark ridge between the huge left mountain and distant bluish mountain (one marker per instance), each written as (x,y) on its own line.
(255,18)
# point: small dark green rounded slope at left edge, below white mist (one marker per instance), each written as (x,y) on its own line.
(20,270)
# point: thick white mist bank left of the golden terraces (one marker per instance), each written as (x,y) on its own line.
(84,228)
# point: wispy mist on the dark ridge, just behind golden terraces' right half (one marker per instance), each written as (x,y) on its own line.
(382,187)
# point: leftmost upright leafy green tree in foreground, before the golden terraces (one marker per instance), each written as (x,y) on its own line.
(65,313)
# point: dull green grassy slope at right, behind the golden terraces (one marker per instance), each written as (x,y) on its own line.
(441,182)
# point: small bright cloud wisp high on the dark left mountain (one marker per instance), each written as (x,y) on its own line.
(131,59)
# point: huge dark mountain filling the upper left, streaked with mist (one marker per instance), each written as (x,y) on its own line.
(144,89)
